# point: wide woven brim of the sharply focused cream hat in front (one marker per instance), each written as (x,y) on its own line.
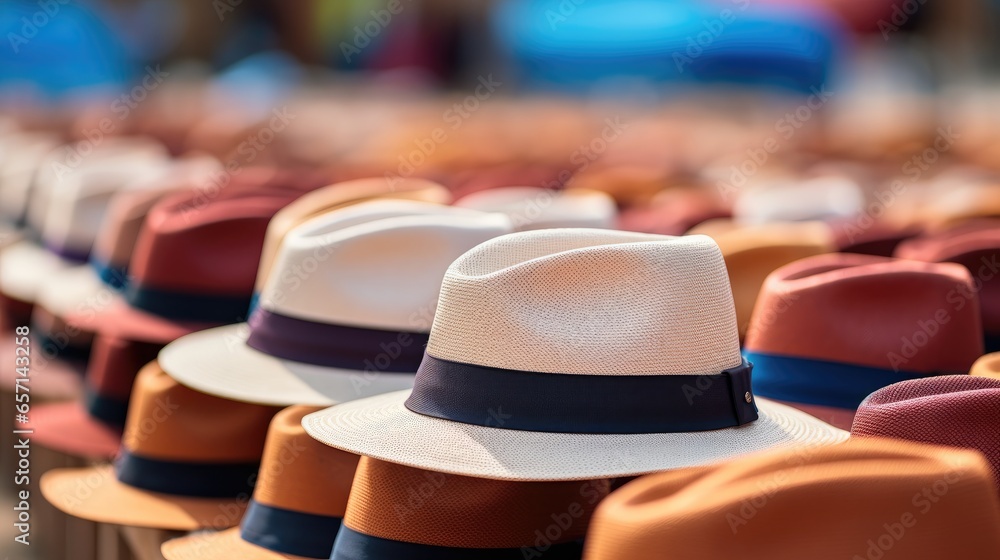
(383,428)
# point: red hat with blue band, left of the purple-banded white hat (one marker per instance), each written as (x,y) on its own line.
(195,260)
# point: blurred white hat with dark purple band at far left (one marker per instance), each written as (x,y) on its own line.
(67,207)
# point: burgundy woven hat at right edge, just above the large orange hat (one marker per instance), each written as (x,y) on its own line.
(953,410)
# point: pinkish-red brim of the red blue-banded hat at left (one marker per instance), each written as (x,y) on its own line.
(117,318)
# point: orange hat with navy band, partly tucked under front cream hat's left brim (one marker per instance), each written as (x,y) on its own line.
(298,504)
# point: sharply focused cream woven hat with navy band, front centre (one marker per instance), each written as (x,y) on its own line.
(575,354)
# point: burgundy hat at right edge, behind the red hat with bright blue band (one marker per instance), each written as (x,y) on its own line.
(976,246)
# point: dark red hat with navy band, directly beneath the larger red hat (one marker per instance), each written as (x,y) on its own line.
(93,428)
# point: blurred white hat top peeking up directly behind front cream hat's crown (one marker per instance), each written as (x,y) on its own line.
(536,208)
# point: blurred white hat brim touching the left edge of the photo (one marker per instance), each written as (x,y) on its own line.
(24,266)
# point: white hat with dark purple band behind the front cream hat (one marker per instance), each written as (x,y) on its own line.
(345,311)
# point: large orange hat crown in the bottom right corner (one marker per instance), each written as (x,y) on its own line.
(863,499)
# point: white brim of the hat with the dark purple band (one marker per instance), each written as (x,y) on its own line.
(219,362)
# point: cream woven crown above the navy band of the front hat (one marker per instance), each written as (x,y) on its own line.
(589,302)
